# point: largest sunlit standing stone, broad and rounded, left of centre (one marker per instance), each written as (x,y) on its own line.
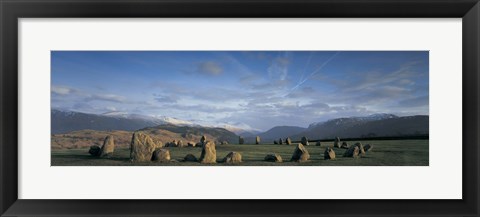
(141,147)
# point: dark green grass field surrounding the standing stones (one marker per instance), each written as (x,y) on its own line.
(384,153)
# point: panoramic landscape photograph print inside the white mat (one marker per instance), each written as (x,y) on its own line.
(240,108)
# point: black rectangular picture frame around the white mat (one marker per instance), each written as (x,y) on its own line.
(12,10)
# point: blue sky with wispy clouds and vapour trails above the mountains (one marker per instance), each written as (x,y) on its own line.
(249,89)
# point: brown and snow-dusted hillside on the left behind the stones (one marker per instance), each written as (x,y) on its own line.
(78,130)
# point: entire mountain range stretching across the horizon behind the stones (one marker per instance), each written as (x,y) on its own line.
(377,125)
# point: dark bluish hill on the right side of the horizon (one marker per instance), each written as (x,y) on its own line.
(358,127)
